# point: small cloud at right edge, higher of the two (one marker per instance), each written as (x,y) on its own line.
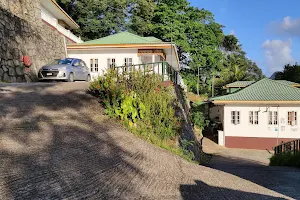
(287,26)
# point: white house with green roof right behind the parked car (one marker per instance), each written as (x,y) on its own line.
(126,49)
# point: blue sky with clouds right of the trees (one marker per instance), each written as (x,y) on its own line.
(269,30)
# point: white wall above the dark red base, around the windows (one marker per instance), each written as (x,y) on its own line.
(262,129)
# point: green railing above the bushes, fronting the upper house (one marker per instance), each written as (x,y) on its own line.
(162,69)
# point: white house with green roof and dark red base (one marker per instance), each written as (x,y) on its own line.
(260,116)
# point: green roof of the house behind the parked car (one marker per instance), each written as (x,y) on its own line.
(124,38)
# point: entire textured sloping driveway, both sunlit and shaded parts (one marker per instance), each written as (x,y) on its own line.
(55,143)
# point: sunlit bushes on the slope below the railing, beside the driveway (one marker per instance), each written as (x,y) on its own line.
(145,105)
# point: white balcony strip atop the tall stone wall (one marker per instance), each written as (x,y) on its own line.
(54,23)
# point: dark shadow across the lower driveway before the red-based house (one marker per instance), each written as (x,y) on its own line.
(283,180)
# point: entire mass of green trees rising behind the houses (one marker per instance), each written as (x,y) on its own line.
(202,45)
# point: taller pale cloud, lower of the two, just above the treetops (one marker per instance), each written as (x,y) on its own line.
(277,54)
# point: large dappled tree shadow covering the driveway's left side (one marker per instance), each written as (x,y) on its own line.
(53,147)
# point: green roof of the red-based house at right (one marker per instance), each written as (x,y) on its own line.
(264,90)
